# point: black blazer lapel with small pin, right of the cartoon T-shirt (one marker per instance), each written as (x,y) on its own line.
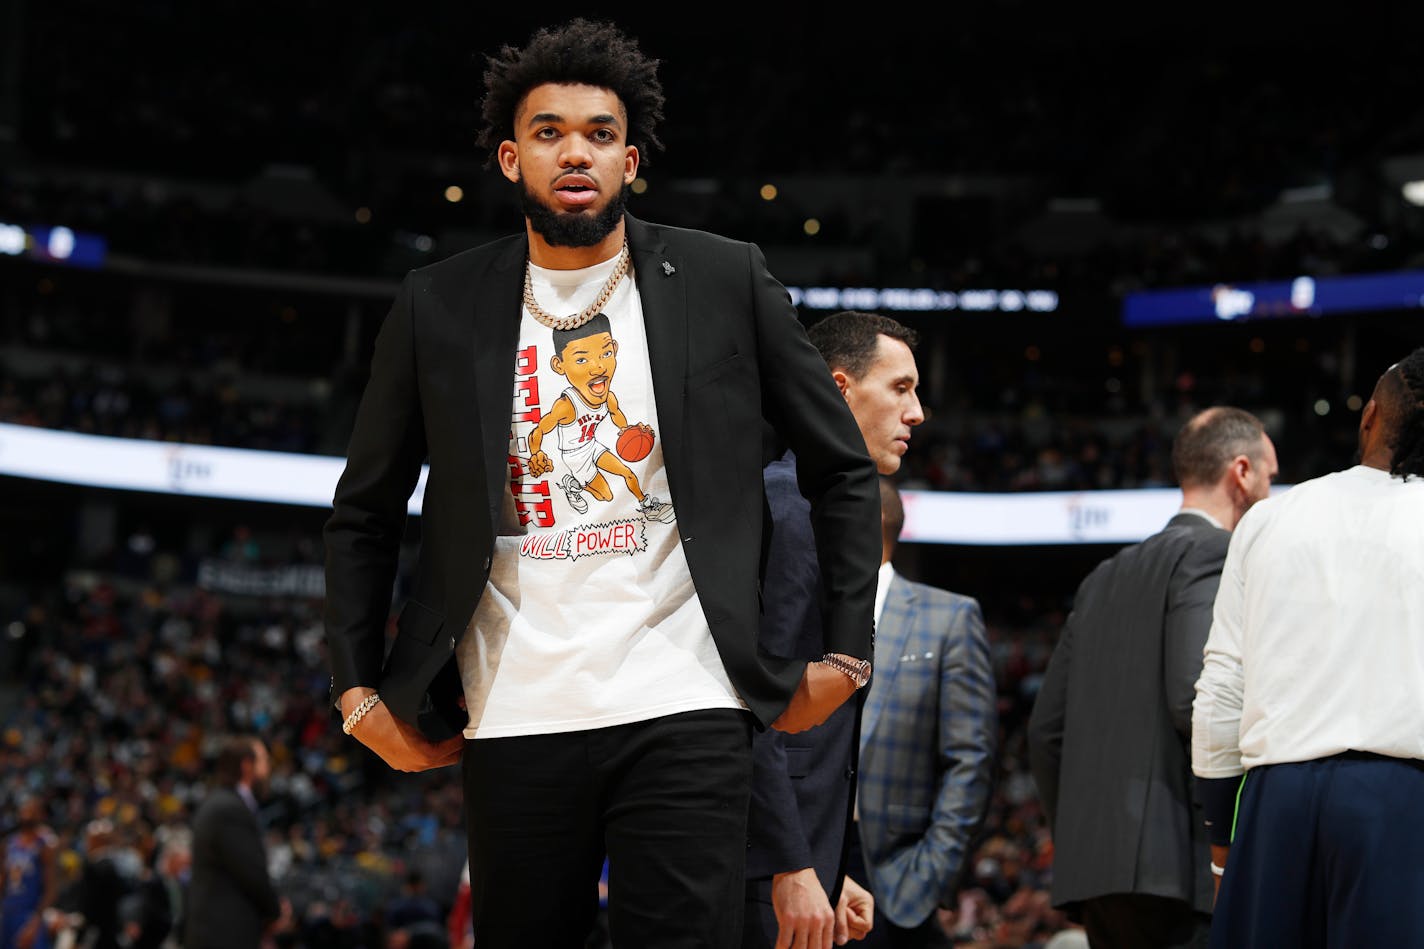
(666,320)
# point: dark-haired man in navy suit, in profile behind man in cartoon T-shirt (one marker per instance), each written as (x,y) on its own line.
(804,784)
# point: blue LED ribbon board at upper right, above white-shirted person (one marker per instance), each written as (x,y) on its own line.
(1277,300)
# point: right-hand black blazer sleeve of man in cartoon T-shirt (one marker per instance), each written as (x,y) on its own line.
(834,470)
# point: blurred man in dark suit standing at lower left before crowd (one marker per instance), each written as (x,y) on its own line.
(231,901)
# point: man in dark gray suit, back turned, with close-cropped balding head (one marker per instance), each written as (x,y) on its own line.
(1110,733)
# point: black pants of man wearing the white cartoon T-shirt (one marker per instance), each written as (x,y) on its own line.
(664,800)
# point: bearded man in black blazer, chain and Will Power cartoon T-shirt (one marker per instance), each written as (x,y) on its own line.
(580,632)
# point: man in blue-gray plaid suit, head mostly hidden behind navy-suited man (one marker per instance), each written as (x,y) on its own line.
(929,743)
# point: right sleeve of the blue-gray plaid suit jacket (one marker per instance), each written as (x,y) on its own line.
(969,742)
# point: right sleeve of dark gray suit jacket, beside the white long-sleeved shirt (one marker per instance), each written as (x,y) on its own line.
(1188,622)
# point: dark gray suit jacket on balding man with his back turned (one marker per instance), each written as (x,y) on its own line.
(1111,729)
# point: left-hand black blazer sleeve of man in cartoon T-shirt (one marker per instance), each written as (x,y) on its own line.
(371,505)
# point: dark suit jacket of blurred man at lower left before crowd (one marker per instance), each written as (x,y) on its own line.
(231,898)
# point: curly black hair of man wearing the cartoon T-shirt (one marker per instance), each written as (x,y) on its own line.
(583,52)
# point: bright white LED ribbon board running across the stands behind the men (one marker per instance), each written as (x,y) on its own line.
(310,481)
